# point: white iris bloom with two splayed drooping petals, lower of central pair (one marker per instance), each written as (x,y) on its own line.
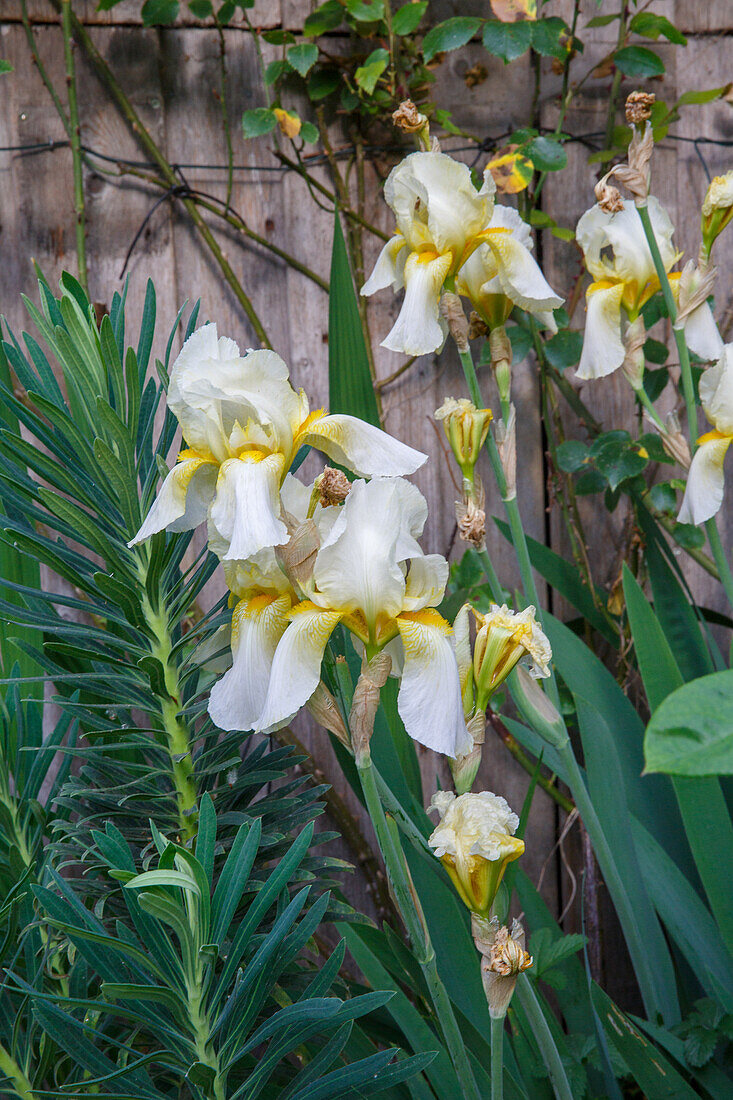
(362,580)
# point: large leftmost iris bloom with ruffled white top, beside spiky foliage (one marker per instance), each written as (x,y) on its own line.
(244,424)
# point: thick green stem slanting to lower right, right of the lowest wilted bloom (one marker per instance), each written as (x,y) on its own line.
(617,888)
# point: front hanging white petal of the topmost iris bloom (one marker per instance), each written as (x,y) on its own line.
(418,331)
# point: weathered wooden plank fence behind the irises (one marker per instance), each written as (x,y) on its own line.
(172,79)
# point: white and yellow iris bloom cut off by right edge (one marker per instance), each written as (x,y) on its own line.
(705,485)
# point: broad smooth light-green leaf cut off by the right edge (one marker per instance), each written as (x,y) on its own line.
(692,732)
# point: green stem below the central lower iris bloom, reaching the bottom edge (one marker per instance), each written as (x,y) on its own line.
(409,906)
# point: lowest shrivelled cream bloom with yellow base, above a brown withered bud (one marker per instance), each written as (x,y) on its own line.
(475,842)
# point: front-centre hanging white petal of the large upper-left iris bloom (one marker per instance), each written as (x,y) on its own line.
(245,516)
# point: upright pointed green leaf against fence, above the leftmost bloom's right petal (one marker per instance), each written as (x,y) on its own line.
(351,388)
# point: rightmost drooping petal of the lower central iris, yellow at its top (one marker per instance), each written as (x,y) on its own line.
(430,700)
